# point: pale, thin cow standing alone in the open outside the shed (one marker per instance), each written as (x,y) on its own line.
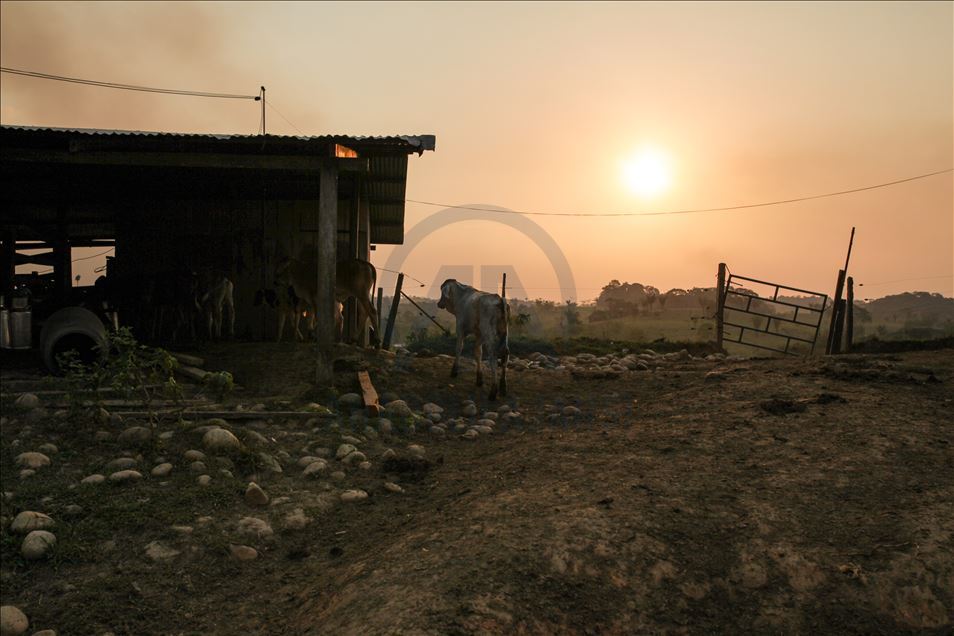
(485,316)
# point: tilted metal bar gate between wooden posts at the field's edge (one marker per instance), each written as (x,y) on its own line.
(742,312)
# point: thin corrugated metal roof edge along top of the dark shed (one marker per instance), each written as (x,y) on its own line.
(419,143)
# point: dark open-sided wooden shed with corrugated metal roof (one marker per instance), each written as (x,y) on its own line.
(233,203)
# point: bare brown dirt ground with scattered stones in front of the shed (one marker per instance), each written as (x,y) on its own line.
(750,496)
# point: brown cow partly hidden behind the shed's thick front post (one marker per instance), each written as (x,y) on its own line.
(354,278)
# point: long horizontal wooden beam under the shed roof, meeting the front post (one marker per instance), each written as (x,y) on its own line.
(303,163)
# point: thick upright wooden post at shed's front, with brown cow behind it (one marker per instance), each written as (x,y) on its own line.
(325,299)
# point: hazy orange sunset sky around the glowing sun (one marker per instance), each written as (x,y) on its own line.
(538,107)
